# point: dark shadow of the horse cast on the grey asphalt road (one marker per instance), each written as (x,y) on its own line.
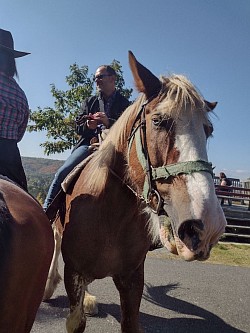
(200,319)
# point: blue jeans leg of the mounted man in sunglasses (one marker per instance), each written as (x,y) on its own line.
(78,155)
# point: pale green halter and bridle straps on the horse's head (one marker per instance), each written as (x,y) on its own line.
(150,193)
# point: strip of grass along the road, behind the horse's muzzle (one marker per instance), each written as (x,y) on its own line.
(223,253)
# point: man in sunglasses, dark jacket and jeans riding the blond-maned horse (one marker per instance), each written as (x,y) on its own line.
(96,113)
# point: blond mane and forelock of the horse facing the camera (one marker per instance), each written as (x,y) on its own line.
(177,95)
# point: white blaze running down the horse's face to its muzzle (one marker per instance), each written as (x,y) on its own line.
(191,143)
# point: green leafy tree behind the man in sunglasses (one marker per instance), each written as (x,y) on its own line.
(58,121)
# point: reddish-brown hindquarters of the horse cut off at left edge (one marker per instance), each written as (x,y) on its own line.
(26,249)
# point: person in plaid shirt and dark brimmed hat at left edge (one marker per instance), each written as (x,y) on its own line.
(14,112)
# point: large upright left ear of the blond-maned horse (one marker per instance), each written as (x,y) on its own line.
(145,81)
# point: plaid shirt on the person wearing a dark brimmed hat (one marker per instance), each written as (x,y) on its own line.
(14,109)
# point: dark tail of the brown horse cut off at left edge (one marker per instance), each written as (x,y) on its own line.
(5,231)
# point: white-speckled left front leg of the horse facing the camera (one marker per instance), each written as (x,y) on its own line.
(75,288)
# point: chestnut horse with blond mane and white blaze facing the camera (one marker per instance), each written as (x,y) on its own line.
(153,162)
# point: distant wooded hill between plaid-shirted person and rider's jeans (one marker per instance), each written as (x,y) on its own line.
(40,173)
